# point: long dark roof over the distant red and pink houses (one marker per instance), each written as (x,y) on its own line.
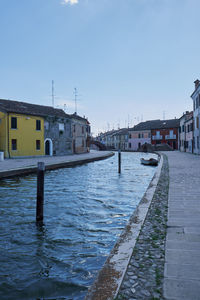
(156,124)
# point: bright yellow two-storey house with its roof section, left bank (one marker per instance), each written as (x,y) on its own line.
(21,129)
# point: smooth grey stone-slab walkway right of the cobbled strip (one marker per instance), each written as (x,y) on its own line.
(182,256)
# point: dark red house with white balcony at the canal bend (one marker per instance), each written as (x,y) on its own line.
(165,132)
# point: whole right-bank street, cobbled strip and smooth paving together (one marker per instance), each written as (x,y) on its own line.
(171,272)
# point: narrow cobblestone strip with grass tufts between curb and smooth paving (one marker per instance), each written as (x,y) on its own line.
(144,276)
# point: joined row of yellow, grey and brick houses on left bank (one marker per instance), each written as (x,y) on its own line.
(35,130)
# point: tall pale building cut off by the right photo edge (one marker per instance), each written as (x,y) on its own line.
(196,116)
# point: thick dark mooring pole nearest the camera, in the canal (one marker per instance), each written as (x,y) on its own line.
(40,192)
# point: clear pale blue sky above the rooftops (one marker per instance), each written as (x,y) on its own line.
(130,60)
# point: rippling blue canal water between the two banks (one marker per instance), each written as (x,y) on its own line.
(86,209)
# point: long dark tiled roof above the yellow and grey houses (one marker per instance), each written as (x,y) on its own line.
(30,109)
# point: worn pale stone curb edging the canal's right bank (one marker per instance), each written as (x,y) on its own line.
(110,277)
